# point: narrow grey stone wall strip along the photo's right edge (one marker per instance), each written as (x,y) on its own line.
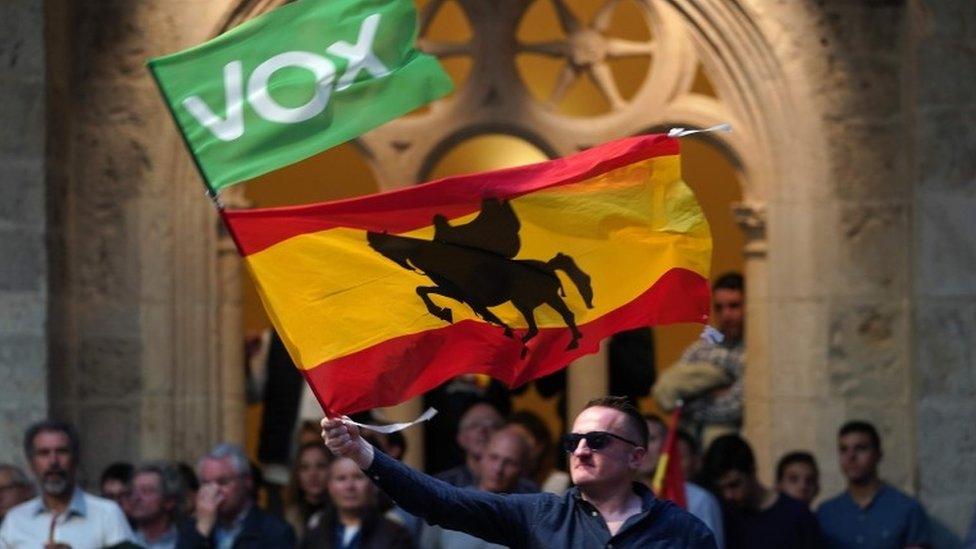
(941,97)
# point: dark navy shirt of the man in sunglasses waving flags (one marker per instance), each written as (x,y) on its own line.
(536,520)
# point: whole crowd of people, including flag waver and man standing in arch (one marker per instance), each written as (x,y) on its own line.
(348,489)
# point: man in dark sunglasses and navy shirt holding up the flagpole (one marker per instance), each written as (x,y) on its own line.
(606,508)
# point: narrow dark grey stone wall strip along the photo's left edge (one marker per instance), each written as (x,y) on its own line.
(23,261)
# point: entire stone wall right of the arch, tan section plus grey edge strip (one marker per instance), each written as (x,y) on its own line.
(870,294)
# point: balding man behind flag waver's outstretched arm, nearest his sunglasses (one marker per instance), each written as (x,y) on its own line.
(502,467)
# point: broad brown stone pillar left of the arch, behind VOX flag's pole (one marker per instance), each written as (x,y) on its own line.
(146,336)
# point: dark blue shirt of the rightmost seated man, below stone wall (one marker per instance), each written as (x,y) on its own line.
(892,520)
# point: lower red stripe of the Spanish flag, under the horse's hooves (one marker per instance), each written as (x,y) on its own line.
(393,371)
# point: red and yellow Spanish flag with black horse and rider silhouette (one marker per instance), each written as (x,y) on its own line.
(512,273)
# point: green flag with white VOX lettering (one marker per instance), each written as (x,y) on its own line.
(303,78)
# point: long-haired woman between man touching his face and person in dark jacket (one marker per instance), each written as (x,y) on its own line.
(307,492)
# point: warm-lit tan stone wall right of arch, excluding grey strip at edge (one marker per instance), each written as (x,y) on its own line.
(834,339)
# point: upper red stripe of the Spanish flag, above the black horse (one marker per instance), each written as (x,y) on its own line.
(411,208)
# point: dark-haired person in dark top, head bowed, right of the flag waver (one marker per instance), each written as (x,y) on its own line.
(755,516)
